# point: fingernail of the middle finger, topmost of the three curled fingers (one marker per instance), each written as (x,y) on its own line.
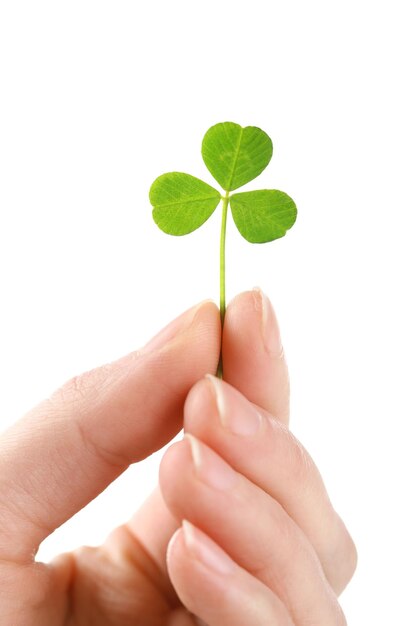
(236,414)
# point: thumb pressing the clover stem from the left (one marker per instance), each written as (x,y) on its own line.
(70,447)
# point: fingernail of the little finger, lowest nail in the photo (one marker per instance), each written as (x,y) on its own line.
(205,550)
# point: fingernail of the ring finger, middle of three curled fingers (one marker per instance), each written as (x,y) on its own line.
(209,467)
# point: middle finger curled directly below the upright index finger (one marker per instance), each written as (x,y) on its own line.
(269,455)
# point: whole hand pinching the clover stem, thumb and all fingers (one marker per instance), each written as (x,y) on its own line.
(261,542)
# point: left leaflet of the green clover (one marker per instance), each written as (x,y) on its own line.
(182,203)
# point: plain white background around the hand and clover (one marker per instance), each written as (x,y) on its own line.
(99,98)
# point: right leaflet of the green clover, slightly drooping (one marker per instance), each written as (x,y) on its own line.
(262,216)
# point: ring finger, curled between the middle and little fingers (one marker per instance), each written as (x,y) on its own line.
(252,527)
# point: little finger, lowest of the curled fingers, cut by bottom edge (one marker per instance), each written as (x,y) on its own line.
(213,587)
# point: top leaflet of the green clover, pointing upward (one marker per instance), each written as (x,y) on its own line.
(235,155)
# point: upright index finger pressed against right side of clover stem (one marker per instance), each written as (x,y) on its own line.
(253,357)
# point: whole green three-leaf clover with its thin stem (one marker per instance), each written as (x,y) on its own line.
(234,156)
